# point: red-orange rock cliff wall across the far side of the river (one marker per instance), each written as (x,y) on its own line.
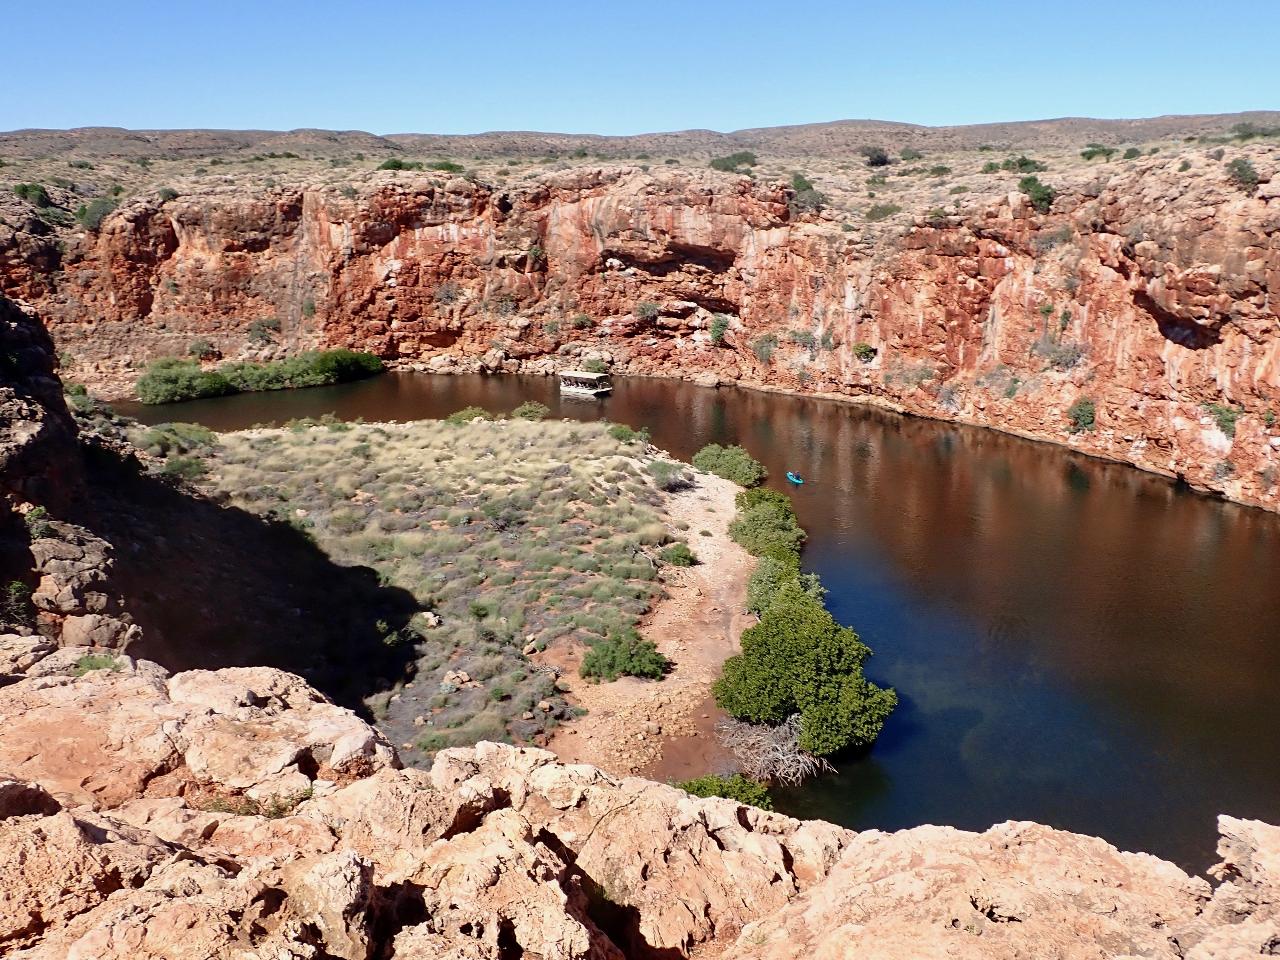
(1145,290)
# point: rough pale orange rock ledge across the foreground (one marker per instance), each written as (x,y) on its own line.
(240,815)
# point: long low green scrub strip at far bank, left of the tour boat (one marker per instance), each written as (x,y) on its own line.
(177,380)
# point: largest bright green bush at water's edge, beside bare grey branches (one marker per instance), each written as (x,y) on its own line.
(799,660)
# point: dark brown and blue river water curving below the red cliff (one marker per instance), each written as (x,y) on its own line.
(1075,643)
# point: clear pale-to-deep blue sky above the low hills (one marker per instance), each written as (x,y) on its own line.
(607,67)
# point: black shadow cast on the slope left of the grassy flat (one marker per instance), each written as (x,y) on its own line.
(217,587)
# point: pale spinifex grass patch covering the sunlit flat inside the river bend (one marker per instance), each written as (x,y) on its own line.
(511,534)
